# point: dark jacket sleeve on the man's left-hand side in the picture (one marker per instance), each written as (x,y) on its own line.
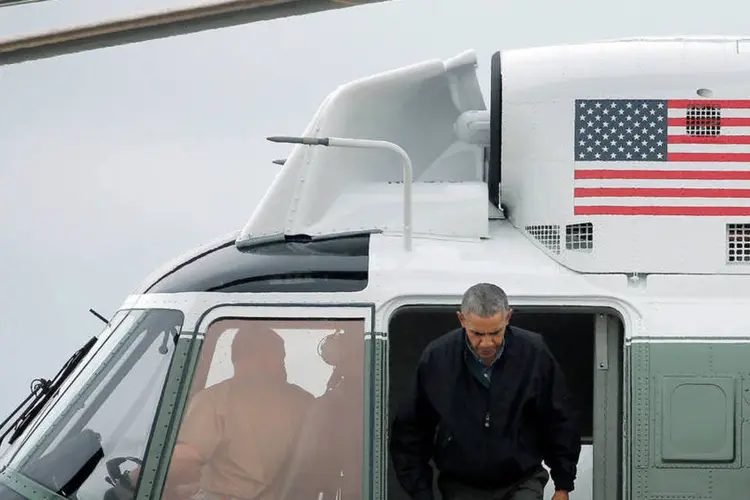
(412,436)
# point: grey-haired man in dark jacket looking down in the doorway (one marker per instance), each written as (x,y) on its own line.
(488,404)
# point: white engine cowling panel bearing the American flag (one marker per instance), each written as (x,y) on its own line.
(540,184)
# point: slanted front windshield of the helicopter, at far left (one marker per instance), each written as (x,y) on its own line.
(109,417)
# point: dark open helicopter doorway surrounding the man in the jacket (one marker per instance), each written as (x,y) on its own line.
(587,344)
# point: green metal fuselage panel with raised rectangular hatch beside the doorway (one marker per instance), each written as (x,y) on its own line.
(690,405)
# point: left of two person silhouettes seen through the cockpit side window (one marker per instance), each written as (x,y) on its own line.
(237,434)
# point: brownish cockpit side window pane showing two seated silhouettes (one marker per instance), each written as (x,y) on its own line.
(275,411)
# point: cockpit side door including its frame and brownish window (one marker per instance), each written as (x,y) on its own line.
(296,387)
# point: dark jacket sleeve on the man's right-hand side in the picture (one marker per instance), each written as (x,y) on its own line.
(561,431)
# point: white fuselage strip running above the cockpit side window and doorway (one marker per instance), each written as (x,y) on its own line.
(438,271)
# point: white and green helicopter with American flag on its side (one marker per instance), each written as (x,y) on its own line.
(603,186)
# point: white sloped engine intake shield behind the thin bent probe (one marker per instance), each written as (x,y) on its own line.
(417,108)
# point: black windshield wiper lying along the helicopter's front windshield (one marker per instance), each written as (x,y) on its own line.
(42,391)
